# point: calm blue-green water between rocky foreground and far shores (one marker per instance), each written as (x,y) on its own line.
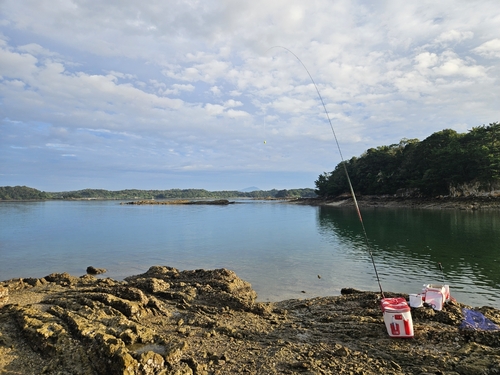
(279,248)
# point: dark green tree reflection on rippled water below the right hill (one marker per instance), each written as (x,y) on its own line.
(408,244)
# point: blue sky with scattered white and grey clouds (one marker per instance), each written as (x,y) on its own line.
(219,94)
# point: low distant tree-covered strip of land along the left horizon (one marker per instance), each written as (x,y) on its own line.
(26,193)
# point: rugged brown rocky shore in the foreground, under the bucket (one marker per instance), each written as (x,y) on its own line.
(208,322)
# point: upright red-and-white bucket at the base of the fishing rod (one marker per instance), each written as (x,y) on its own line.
(397,317)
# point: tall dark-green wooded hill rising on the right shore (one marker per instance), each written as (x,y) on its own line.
(446,163)
